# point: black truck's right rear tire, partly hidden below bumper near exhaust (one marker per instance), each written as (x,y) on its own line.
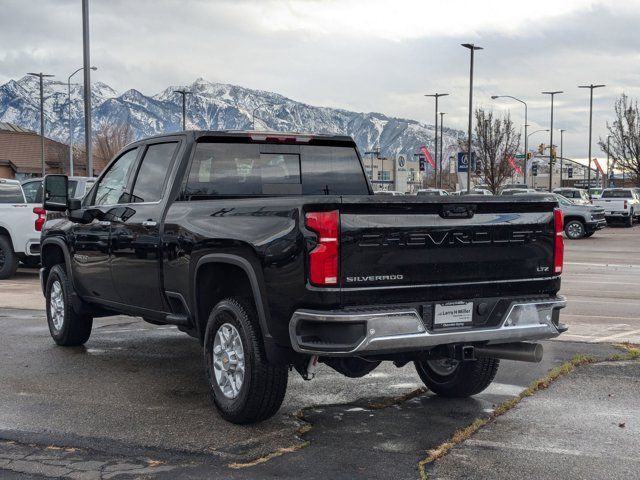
(466,379)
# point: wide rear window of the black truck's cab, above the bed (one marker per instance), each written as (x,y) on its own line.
(237,169)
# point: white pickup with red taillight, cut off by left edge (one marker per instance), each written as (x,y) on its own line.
(20,225)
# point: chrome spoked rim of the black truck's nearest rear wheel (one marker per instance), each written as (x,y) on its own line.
(228,360)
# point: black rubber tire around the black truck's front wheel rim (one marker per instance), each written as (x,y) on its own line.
(75,329)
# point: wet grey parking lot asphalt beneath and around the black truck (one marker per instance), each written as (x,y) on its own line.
(133,401)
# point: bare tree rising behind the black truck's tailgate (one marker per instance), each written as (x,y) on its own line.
(495,142)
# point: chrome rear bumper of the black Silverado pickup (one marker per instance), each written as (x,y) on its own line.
(374,332)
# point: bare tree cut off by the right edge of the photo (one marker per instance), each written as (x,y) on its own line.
(624,146)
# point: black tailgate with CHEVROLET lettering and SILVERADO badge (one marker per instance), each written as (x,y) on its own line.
(412,241)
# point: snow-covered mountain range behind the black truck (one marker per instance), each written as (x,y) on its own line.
(212,106)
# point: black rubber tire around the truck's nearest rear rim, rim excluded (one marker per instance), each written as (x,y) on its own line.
(263,384)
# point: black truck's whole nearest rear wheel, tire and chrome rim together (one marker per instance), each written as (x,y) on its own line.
(245,387)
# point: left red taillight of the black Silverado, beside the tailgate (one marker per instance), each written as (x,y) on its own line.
(323,259)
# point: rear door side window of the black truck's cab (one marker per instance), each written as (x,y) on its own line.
(153,172)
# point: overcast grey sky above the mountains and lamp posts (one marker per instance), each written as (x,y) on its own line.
(364,55)
